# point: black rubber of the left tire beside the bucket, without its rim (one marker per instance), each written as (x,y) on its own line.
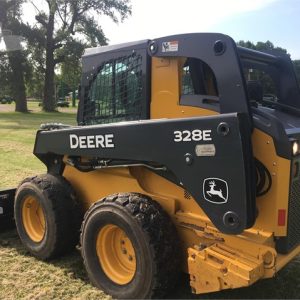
(62,215)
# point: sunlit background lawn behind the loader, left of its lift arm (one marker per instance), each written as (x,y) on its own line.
(17,135)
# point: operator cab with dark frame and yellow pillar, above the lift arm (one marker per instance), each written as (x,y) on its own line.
(199,70)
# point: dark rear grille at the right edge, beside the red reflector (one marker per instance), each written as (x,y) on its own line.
(286,244)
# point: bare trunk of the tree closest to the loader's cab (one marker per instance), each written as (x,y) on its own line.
(49,95)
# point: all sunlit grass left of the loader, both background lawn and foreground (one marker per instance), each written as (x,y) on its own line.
(21,276)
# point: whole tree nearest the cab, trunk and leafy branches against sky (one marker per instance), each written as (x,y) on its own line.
(61,20)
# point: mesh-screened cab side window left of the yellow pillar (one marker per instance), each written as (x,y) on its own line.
(115,93)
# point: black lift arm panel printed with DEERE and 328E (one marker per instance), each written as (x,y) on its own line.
(210,157)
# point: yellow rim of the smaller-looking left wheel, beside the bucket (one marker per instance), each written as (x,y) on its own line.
(33,219)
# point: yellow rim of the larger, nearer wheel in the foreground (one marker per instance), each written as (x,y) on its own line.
(116,254)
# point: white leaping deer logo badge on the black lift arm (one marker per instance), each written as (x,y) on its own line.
(215,190)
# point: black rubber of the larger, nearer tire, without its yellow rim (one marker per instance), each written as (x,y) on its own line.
(153,237)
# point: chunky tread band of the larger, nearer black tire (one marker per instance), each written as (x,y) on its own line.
(163,238)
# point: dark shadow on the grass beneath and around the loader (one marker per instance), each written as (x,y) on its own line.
(286,285)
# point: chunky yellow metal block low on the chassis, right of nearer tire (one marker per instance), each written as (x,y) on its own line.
(219,267)
